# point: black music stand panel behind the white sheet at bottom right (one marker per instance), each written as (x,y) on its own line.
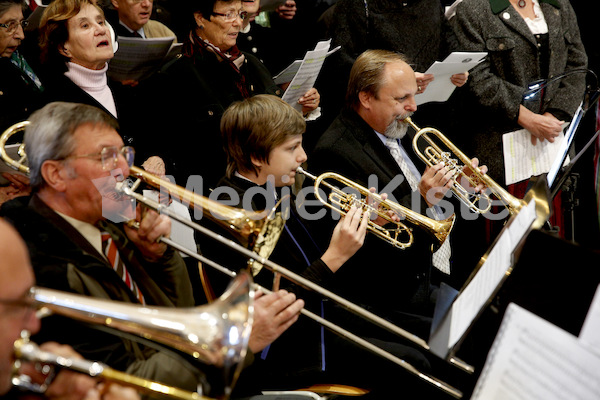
(552,278)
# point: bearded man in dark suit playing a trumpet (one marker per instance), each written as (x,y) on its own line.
(370,143)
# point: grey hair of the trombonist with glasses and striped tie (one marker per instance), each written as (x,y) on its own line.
(50,134)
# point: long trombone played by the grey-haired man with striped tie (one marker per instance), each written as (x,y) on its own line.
(199,201)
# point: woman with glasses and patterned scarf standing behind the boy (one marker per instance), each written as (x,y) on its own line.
(211,75)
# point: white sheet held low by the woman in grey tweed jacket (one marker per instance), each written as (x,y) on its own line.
(523,160)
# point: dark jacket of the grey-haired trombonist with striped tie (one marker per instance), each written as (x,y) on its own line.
(64,260)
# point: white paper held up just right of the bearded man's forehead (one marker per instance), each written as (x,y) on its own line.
(441,87)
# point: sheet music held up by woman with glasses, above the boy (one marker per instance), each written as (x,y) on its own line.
(307,74)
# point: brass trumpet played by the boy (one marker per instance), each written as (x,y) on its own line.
(439,230)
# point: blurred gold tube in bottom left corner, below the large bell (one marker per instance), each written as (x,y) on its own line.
(25,350)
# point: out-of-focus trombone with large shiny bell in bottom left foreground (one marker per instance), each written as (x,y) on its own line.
(216,334)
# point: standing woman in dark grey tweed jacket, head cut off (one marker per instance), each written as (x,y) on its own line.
(526,40)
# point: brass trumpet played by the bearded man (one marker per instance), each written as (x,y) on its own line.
(455,160)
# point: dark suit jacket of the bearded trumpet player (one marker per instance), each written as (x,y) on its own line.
(378,275)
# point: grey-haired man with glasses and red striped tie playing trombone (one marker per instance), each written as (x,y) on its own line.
(75,158)
